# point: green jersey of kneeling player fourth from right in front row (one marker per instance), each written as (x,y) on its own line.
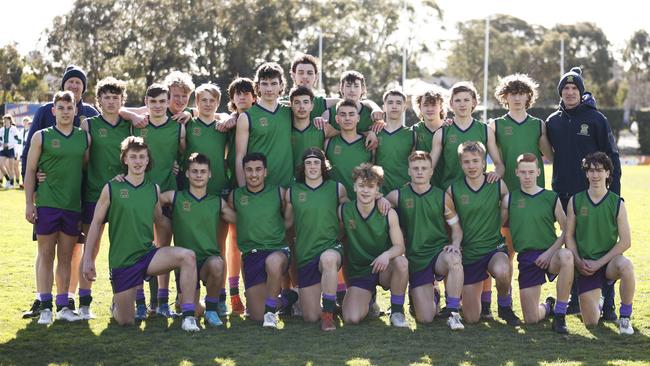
(422,218)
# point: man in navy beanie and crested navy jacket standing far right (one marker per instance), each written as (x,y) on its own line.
(576,130)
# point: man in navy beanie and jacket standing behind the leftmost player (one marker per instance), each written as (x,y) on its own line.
(74,80)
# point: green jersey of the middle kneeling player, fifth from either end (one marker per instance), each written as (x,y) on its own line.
(367,239)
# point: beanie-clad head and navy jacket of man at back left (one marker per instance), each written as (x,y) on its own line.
(74,79)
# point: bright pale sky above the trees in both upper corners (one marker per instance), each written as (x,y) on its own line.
(25,20)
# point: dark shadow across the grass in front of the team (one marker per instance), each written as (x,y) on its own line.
(245,342)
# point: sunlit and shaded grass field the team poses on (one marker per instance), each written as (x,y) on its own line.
(244,342)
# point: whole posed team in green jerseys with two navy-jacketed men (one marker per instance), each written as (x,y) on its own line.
(317,201)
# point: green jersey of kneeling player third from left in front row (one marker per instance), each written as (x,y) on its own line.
(260,225)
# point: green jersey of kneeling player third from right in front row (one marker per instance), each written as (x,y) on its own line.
(480,217)
